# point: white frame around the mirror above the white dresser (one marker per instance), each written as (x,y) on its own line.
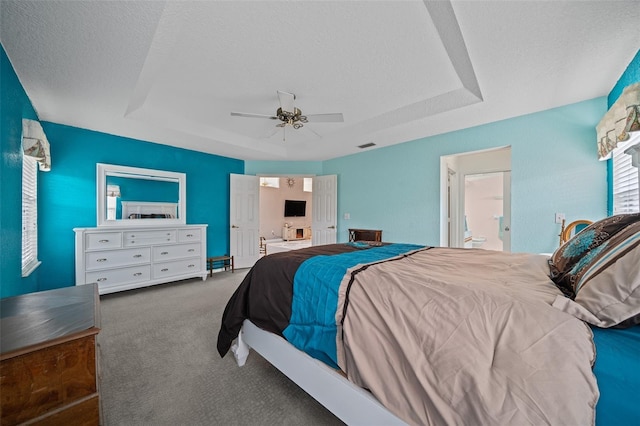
(104,170)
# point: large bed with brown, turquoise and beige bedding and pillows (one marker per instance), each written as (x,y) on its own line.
(401,333)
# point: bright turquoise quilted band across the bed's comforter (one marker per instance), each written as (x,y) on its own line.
(312,327)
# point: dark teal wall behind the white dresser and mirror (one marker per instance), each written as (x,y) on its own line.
(68,196)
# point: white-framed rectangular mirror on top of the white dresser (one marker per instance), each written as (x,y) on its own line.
(131,196)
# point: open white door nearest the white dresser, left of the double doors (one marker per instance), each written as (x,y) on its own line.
(244,215)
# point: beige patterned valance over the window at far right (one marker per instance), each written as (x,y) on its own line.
(622,118)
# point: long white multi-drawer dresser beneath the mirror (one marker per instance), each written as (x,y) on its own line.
(126,258)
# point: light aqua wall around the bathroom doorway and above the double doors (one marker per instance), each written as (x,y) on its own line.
(397,189)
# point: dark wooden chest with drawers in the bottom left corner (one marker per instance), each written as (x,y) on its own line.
(48,362)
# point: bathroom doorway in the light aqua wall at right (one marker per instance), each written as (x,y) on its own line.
(476,199)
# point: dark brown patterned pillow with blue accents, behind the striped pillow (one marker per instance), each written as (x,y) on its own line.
(577,253)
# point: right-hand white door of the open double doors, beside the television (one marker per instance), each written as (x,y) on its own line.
(325,209)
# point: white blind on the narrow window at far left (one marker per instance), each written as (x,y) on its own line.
(29,215)
